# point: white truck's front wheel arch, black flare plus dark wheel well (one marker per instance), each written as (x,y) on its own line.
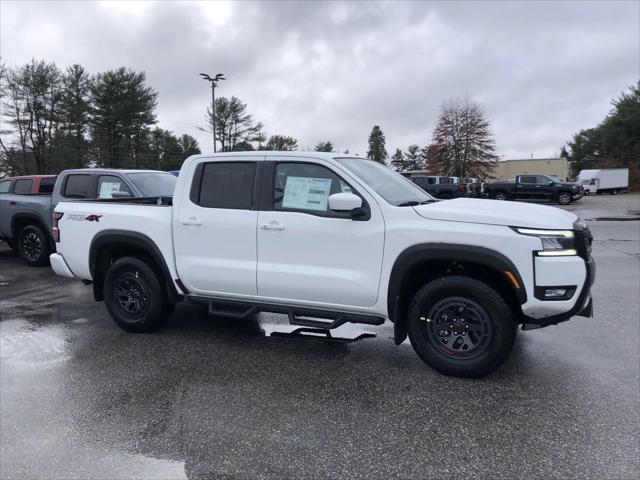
(424,262)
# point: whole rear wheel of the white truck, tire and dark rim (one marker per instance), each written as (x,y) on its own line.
(134,296)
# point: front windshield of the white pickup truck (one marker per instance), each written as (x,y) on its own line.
(390,185)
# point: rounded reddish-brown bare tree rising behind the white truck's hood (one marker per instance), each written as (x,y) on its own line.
(462,145)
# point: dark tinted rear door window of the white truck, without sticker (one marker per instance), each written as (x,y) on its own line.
(227,185)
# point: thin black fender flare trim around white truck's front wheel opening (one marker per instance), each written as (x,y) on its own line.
(441,251)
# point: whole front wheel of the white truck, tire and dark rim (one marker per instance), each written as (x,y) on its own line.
(461,327)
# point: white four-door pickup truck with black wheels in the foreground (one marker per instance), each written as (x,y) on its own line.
(329,239)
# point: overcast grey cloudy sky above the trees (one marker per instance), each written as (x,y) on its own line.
(330,71)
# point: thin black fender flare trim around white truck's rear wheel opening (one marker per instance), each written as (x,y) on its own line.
(139,240)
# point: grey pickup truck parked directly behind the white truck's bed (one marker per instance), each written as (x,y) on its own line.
(25,217)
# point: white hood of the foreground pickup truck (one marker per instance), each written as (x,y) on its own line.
(498,212)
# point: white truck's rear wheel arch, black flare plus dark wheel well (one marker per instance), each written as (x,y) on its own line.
(109,245)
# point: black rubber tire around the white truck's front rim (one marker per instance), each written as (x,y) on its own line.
(497,346)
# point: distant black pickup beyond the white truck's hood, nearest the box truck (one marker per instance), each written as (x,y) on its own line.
(535,187)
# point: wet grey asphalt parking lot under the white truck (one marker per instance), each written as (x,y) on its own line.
(218,398)
